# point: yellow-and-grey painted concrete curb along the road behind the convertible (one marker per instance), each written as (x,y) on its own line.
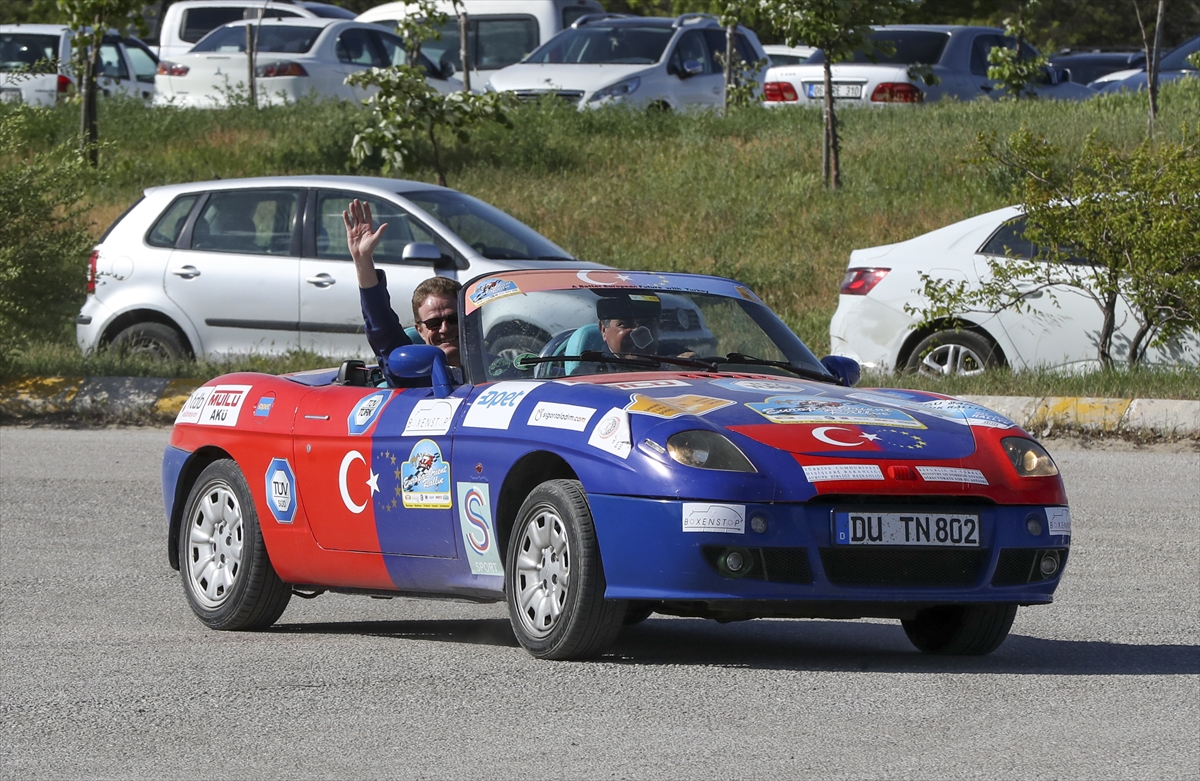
(163,400)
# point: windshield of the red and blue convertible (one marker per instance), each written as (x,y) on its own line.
(604,322)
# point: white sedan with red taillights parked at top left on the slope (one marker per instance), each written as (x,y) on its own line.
(293,58)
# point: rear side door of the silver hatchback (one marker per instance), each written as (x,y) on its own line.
(237,278)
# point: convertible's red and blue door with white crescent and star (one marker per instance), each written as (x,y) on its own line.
(374,470)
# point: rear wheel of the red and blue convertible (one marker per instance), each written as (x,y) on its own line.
(227,575)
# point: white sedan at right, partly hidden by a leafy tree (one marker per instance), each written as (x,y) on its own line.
(1060,329)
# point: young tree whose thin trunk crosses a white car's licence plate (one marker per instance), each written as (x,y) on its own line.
(838,28)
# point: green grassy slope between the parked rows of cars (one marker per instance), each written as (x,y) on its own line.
(739,196)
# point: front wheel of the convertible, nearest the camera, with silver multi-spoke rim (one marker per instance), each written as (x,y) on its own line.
(555,580)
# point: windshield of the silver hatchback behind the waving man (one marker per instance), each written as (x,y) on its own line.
(493,233)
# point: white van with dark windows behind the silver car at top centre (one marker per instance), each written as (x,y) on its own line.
(500,34)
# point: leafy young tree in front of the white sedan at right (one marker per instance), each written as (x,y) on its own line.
(1117,227)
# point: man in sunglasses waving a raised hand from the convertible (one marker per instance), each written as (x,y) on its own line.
(435,301)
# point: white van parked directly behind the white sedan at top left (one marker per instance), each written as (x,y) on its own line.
(189,21)
